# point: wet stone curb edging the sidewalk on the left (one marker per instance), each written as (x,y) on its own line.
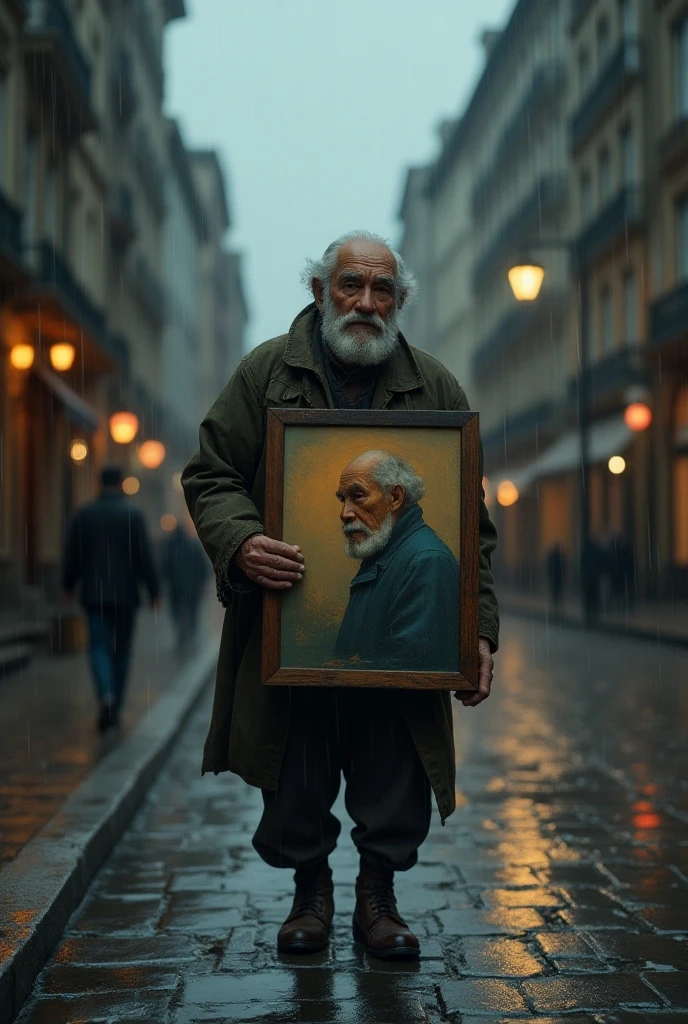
(47,882)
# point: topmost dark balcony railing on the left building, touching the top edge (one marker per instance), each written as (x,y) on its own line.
(49,36)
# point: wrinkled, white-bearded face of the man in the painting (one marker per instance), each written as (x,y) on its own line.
(368,515)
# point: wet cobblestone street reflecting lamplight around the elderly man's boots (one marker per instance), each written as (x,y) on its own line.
(558,891)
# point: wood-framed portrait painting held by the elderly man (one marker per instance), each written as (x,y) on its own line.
(384,507)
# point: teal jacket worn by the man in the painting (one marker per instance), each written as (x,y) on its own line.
(404,605)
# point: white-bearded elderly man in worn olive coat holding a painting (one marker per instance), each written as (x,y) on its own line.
(343,352)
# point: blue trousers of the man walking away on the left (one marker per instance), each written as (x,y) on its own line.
(111,631)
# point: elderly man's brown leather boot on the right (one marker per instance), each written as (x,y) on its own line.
(377,922)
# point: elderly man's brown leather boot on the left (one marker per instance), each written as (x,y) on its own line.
(308,928)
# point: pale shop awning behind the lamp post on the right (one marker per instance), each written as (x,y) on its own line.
(606,439)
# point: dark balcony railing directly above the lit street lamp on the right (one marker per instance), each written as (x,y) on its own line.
(547,199)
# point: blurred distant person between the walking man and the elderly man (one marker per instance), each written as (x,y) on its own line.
(185,569)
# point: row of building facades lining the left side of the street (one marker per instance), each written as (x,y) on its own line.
(102,247)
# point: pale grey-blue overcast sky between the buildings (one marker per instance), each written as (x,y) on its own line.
(317,109)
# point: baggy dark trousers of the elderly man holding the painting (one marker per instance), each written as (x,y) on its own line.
(360,734)
